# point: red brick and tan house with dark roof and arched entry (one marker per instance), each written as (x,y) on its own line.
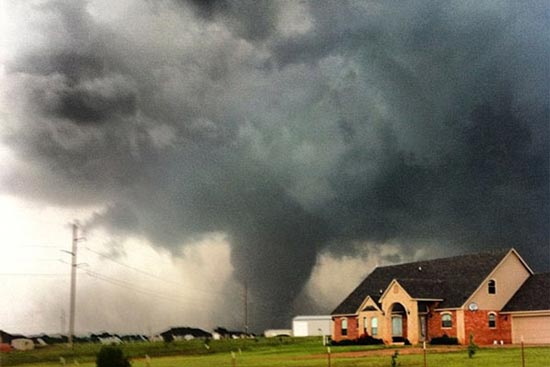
(493,296)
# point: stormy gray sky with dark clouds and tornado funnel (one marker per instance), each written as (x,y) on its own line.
(285,141)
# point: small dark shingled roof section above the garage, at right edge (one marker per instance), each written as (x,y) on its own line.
(534,295)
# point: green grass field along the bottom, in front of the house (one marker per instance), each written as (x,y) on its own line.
(287,352)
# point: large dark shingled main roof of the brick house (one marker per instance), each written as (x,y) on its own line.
(452,279)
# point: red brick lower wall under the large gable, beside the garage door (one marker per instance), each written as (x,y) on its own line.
(477,324)
